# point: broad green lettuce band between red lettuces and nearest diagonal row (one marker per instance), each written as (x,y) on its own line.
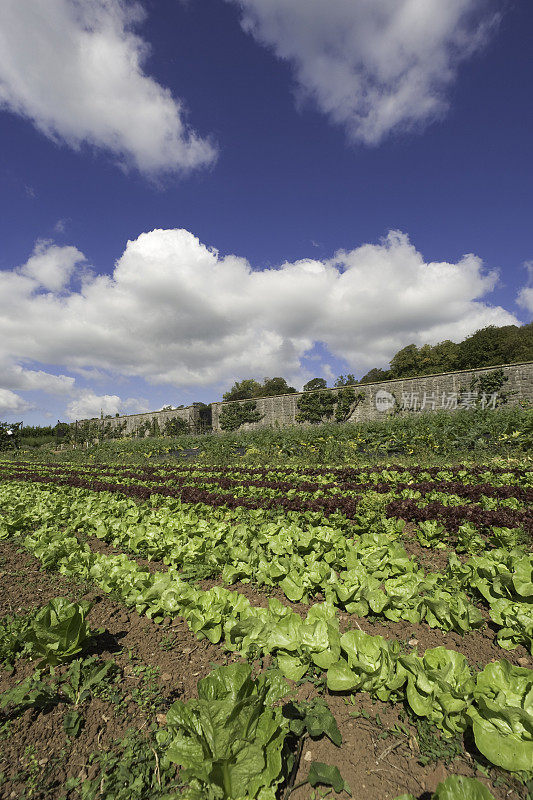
(369,573)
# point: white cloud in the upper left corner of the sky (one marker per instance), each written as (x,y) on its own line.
(75,69)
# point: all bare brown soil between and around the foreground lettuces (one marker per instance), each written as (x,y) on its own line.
(374,766)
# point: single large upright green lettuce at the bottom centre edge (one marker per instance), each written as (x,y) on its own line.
(230,739)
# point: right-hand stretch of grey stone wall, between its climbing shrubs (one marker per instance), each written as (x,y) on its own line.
(427,393)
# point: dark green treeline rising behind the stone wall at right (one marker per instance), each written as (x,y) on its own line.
(487,347)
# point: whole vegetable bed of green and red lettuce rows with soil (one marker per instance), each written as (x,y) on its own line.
(365,630)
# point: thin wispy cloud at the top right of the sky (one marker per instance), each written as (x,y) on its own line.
(374,66)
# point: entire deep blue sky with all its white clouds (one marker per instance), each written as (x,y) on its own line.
(196,192)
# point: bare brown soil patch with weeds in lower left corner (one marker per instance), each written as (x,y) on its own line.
(178,658)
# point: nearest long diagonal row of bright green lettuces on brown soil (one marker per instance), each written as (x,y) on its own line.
(497,703)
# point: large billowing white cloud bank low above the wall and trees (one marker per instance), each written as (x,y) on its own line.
(176,312)
